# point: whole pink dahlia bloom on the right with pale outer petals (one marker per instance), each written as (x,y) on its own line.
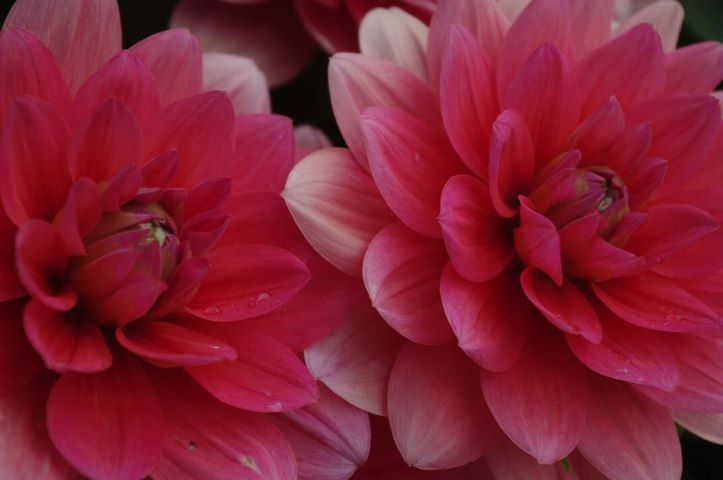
(536,208)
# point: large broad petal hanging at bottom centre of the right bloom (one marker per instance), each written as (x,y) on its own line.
(540,402)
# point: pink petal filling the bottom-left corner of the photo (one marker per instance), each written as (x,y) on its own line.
(25,449)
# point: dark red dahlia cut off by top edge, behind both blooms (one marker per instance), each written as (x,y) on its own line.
(280,35)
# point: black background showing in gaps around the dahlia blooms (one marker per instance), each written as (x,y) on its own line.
(305,100)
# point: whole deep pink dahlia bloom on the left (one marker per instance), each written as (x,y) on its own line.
(154,289)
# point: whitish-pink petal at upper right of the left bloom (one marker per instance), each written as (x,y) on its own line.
(240,78)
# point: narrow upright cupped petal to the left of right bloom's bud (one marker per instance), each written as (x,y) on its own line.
(511,162)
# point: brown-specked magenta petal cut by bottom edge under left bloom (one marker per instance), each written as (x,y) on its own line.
(207,439)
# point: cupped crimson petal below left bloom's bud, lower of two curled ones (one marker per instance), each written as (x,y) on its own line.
(67,343)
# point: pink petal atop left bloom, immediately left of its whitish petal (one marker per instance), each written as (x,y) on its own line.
(175,60)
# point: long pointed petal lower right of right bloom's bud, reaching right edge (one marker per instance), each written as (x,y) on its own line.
(652,301)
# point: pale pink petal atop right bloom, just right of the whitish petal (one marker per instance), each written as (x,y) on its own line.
(483,18)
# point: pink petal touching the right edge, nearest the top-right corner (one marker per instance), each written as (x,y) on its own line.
(694,69)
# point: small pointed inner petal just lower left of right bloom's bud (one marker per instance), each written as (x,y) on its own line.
(537,242)
